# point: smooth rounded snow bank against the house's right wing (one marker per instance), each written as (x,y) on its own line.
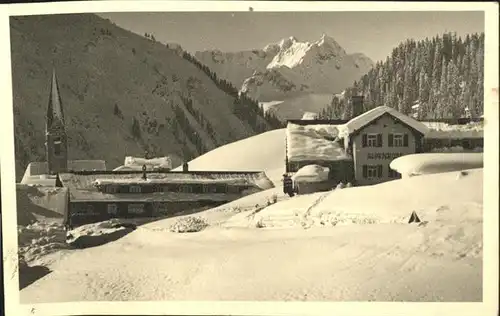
(429,163)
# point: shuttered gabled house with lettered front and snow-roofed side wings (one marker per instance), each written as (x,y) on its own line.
(359,151)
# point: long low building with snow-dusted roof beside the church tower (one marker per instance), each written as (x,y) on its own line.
(97,196)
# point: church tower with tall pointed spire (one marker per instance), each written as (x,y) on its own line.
(55,131)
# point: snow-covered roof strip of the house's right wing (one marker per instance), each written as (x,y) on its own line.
(444,130)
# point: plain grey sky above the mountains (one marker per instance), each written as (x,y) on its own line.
(373,33)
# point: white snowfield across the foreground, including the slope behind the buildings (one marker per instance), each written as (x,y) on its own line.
(352,244)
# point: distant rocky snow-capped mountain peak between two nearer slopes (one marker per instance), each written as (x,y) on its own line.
(289,68)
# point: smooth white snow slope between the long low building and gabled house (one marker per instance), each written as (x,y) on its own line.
(247,155)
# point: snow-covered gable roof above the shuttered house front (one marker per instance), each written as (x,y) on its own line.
(364,119)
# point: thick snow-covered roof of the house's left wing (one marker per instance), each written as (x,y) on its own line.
(314,142)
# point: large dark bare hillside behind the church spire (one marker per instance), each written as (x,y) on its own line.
(122,93)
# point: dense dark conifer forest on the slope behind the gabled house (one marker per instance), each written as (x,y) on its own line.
(444,76)
